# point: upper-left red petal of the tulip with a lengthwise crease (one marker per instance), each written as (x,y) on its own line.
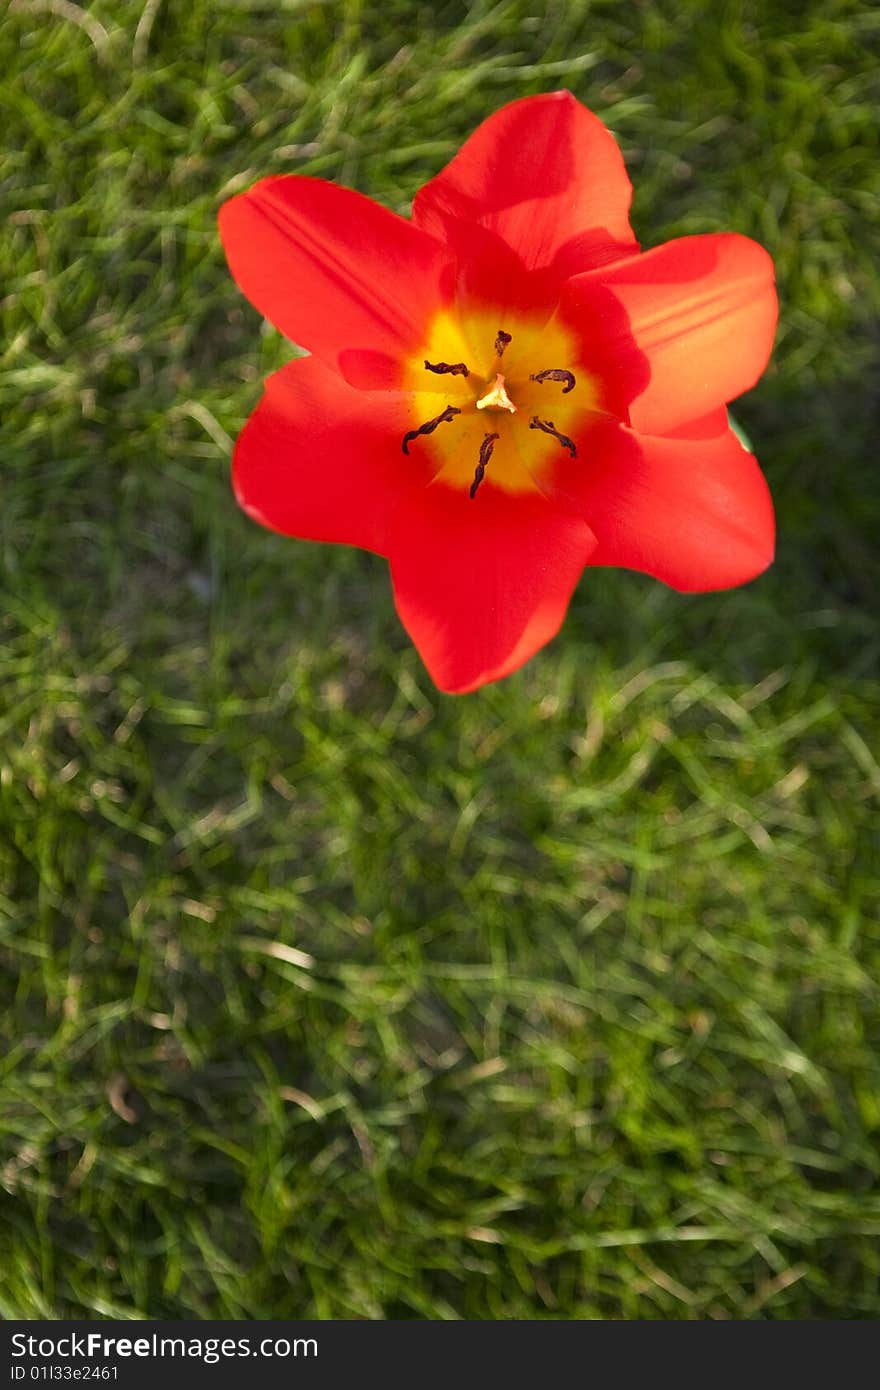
(333,270)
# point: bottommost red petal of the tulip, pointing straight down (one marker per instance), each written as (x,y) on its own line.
(483,584)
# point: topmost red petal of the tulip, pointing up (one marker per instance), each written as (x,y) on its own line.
(547,177)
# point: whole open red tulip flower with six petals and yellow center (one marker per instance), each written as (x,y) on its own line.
(504,389)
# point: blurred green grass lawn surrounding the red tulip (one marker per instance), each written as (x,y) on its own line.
(329,996)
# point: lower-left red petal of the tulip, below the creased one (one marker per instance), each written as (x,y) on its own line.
(322,461)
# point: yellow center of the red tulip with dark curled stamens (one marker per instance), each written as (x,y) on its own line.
(497,405)
